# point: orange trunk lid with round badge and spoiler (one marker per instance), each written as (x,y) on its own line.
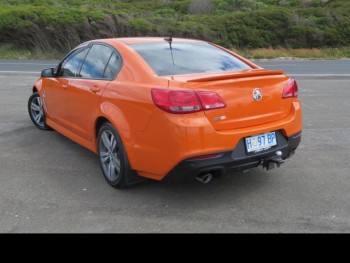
(237,89)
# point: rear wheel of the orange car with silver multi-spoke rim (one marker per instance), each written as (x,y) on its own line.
(113,159)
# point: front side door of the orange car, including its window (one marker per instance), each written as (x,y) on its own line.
(55,90)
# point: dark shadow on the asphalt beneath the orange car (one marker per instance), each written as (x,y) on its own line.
(189,193)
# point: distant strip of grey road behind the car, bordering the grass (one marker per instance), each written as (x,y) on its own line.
(298,67)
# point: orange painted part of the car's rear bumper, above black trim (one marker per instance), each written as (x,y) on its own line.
(170,140)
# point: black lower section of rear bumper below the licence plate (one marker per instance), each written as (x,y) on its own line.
(237,159)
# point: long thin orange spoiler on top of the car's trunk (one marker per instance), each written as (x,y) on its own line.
(238,74)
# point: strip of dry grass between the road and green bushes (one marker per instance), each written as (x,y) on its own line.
(8,51)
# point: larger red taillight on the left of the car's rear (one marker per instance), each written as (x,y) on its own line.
(183,101)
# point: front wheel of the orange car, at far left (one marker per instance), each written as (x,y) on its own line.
(36,112)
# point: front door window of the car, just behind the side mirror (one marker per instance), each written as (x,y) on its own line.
(71,65)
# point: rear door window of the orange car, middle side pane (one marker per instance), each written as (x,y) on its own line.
(96,61)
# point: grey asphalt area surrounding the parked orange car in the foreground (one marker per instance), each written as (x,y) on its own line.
(50,184)
